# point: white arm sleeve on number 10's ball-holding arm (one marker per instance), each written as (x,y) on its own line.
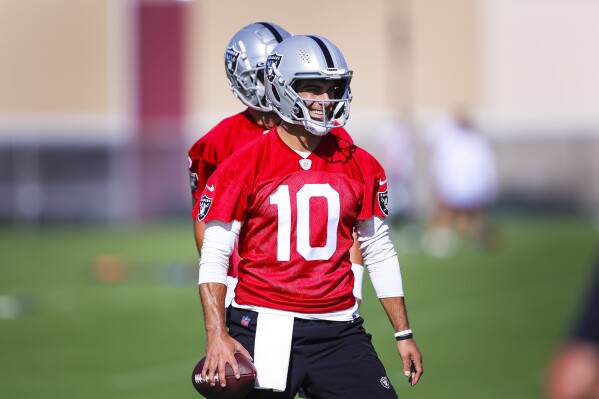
(219,241)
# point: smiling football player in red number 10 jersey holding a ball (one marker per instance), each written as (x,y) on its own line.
(293,198)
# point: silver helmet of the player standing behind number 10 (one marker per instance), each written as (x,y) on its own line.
(245,57)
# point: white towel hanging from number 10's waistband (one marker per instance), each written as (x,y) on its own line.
(272,350)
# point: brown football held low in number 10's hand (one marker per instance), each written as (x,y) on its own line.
(235,389)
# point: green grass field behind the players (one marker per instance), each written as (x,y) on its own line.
(486,322)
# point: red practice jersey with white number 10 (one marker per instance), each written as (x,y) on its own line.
(298,217)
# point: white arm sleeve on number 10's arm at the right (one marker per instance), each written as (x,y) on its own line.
(380,257)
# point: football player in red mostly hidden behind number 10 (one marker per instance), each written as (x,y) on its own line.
(244,60)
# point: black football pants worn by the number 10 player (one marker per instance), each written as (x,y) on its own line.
(329,359)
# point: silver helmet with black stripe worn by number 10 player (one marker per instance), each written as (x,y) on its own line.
(308,57)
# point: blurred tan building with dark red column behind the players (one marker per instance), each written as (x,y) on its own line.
(100,99)
